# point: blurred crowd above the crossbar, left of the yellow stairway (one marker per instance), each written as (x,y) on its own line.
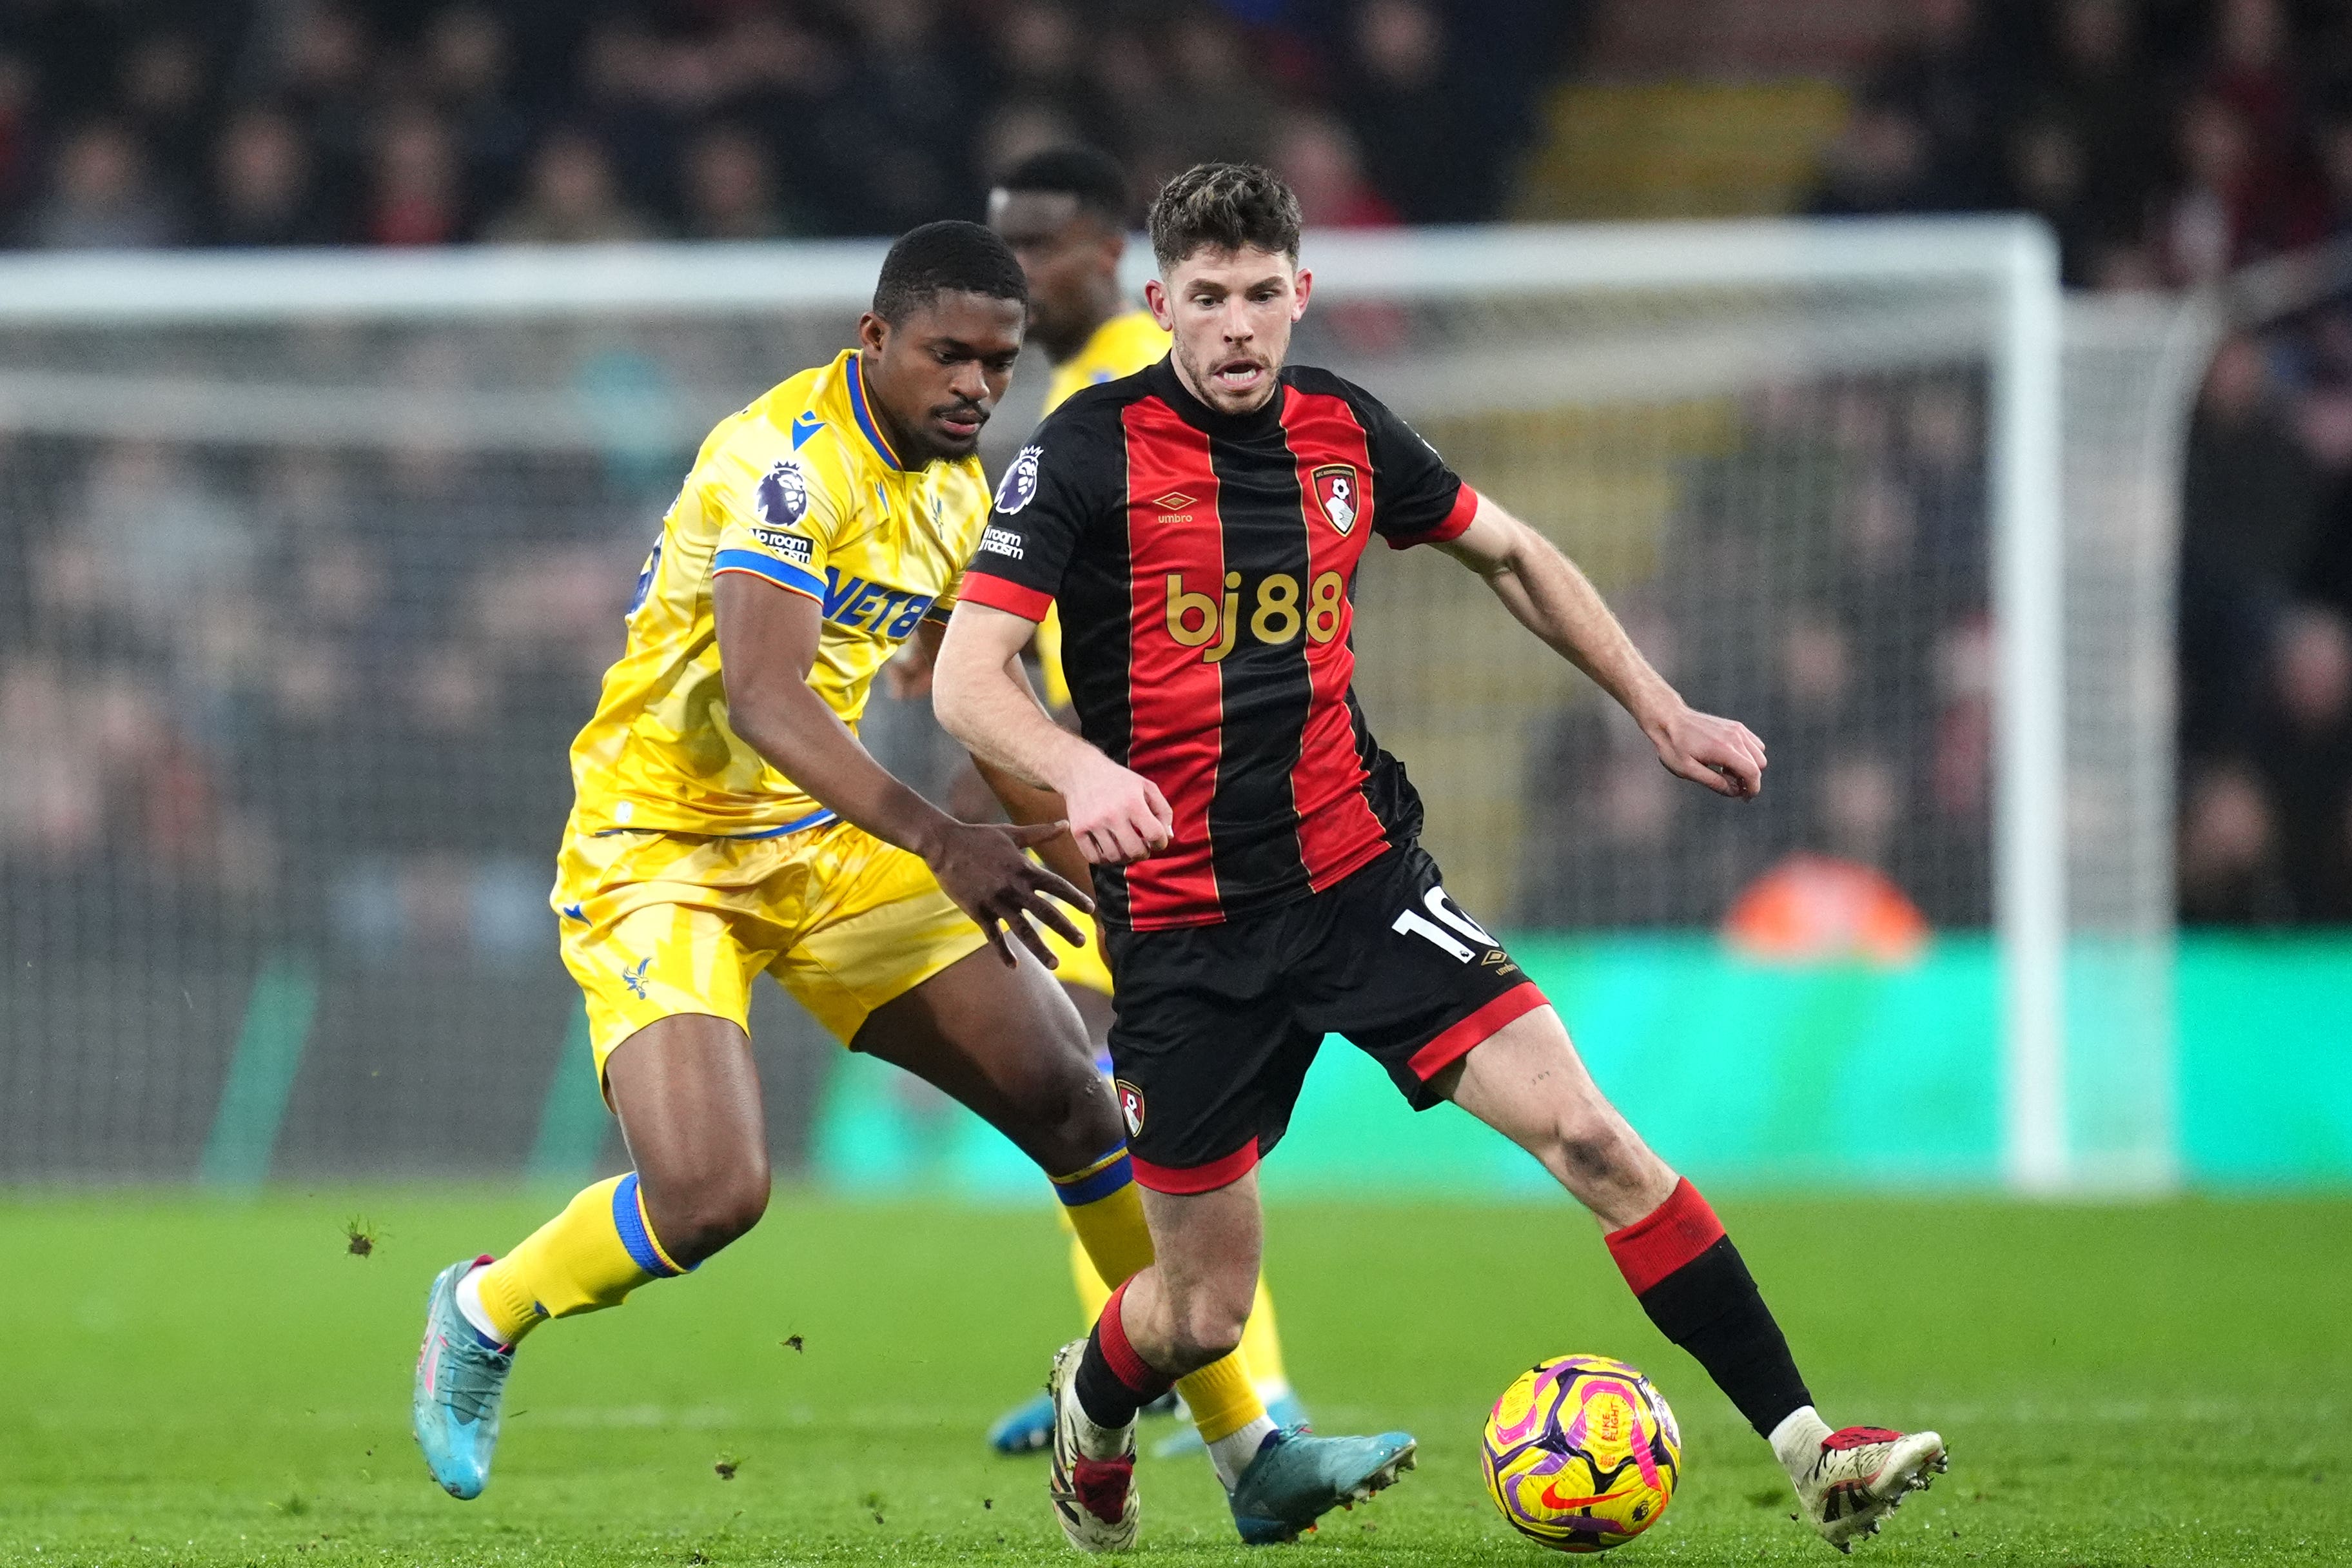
(396,123)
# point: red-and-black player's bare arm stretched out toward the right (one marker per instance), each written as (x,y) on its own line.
(1551,598)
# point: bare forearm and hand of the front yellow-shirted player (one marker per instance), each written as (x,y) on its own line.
(768,648)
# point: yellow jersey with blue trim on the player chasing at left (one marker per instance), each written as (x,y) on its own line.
(806,492)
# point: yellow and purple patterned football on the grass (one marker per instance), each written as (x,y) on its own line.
(1582,1454)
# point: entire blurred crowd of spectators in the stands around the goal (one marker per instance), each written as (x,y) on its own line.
(2167,142)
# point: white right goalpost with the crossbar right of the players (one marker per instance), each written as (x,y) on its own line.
(2014,262)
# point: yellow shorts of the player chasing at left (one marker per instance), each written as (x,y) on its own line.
(662,923)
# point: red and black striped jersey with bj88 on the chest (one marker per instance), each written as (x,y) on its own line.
(1205,572)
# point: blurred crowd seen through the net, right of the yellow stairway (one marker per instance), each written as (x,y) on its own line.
(1791,589)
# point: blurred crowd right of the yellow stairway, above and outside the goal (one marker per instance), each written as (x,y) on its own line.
(2172,142)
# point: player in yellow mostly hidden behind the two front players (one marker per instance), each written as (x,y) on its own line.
(1064,213)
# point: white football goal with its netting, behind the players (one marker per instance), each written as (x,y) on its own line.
(312,565)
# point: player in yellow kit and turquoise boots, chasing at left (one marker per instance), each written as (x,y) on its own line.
(730,824)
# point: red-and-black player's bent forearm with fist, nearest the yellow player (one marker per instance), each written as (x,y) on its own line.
(984,702)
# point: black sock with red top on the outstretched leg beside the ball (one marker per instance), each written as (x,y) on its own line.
(1697,1289)
